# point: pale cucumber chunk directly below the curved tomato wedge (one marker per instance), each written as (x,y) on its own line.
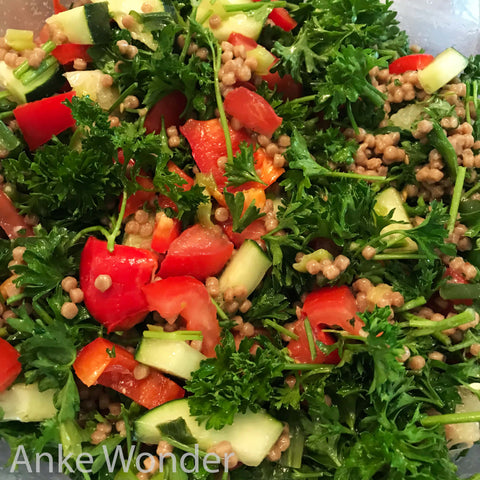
(174,357)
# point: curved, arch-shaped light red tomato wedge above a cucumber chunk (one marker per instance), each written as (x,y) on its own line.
(187,297)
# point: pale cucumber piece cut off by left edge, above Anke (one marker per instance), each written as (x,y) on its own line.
(26,403)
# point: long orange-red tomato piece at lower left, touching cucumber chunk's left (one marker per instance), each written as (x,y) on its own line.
(102,362)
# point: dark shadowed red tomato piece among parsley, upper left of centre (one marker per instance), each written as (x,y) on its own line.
(170,108)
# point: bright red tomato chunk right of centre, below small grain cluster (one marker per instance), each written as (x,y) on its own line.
(331,306)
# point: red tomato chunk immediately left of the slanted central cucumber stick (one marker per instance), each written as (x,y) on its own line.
(199,251)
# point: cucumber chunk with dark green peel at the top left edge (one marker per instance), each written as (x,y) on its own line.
(86,25)
